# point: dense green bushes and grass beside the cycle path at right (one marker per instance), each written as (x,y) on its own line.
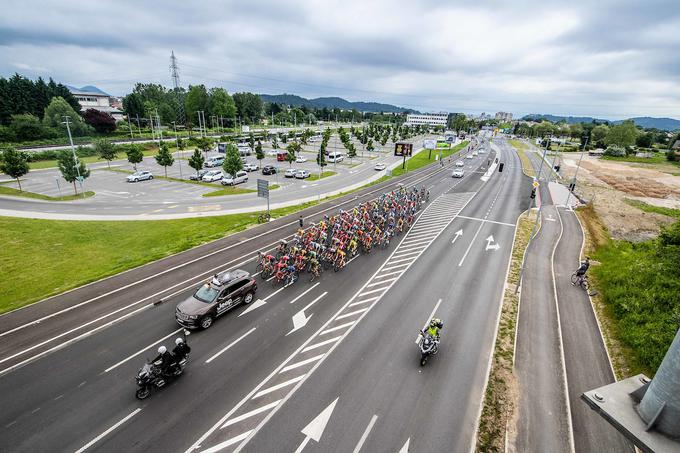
(638,286)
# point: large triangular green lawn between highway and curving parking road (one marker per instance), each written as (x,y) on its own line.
(46,257)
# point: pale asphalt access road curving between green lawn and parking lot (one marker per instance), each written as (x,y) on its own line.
(117,199)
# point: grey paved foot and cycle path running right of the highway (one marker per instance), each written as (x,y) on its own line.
(560,352)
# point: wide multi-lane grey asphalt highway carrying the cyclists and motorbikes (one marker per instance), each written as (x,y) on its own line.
(346,378)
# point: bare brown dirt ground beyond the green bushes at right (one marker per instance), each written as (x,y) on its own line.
(608,183)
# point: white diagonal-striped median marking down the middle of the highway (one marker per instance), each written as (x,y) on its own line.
(277,387)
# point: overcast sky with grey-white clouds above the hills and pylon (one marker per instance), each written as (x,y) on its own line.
(612,59)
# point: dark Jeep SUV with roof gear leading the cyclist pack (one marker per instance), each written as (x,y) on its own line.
(215,297)
